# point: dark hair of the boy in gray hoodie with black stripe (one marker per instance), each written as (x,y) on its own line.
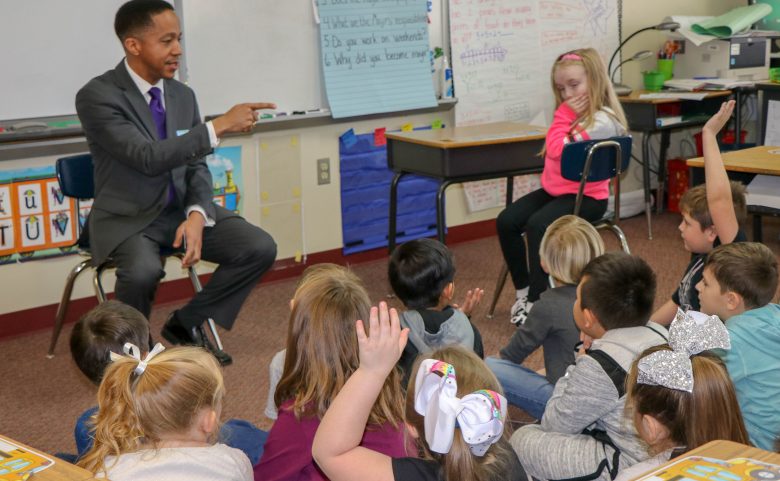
(619,288)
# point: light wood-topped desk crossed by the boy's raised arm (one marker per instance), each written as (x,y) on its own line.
(764,159)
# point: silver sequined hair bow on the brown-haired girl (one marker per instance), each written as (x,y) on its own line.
(691,332)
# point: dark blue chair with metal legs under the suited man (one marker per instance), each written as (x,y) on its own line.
(75,176)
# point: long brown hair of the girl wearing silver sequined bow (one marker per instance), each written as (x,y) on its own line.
(695,418)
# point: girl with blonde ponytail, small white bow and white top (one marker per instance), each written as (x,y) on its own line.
(158,418)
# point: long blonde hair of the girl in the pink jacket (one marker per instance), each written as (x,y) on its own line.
(600,91)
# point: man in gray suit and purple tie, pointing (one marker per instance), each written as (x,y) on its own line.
(153,189)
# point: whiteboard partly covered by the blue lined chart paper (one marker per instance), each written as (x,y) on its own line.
(259,50)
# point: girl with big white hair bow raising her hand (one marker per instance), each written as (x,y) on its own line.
(454,410)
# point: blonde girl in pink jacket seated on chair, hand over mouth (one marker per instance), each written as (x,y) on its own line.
(586,108)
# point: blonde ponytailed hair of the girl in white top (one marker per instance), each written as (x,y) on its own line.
(135,410)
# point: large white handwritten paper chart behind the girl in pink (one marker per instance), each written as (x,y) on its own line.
(503,52)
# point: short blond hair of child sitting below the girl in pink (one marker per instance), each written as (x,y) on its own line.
(568,245)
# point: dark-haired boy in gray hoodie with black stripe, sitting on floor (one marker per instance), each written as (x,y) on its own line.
(584,432)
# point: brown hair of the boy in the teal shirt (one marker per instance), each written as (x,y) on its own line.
(747,268)
